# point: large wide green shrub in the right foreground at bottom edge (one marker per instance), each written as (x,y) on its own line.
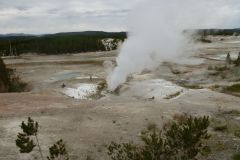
(176,141)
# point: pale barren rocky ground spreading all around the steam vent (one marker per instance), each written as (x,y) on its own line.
(88,125)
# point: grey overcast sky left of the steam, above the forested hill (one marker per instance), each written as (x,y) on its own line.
(51,16)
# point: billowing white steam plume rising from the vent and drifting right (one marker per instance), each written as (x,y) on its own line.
(156,27)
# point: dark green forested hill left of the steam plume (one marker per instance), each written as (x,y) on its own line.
(60,43)
